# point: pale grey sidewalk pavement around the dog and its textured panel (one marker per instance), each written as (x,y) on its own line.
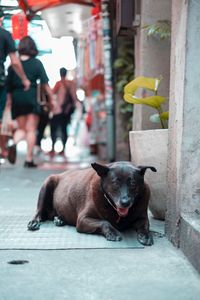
(157,272)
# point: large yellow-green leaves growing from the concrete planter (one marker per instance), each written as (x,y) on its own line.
(155,101)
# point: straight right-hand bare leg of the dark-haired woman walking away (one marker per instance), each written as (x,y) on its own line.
(31,127)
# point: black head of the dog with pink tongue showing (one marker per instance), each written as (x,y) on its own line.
(122,183)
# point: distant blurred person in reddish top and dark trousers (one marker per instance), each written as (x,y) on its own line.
(65,104)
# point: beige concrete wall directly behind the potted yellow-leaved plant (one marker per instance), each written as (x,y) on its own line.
(152,57)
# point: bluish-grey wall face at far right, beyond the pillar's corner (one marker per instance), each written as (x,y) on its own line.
(190,191)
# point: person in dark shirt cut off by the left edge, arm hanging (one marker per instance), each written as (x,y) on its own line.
(7,48)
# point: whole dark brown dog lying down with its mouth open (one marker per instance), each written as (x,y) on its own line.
(104,199)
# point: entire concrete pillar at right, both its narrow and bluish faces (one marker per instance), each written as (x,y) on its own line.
(183,207)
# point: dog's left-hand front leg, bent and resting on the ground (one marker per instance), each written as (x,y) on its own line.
(91,225)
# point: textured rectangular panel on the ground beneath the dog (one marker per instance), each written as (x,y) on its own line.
(14,235)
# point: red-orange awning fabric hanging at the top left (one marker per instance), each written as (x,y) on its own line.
(30,7)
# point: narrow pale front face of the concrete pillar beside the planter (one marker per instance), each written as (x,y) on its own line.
(177,83)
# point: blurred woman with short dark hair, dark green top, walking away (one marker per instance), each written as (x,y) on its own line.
(24,104)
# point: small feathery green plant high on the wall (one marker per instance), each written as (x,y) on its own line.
(161,29)
